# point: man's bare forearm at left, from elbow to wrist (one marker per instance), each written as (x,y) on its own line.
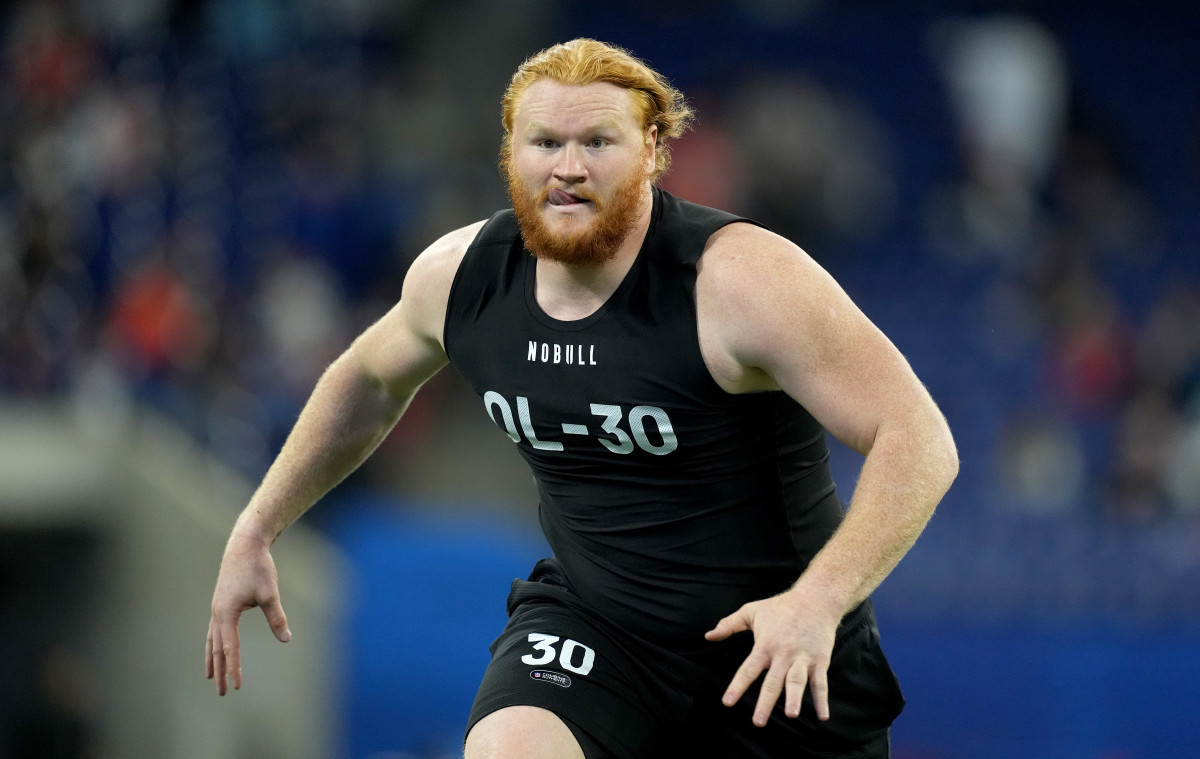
(347,416)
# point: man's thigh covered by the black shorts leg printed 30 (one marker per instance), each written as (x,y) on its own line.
(551,659)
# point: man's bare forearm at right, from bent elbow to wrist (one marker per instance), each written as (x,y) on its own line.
(903,480)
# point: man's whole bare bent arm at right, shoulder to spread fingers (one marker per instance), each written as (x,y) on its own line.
(771,318)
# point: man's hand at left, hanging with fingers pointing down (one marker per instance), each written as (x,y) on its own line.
(248,579)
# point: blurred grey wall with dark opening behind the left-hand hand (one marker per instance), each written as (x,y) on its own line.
(110,543)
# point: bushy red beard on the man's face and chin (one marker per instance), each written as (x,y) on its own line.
(615,219)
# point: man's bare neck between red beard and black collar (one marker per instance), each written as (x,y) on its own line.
(572,292)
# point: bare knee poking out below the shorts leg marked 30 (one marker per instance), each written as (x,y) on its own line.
(523,733)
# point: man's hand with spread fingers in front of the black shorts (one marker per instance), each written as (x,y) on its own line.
(794,642)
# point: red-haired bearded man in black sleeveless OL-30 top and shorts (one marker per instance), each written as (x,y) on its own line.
(667,372)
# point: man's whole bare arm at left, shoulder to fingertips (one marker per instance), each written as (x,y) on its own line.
(356,404)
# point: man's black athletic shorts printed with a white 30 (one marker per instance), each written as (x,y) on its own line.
(626,698)
